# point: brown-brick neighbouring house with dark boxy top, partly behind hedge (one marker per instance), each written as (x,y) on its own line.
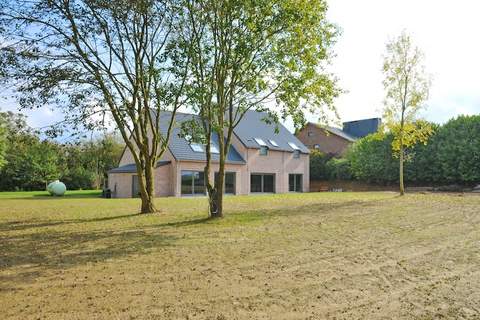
(335,141)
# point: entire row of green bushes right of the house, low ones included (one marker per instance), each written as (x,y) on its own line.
(452,155)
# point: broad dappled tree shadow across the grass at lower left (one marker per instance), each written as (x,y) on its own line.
(51,249)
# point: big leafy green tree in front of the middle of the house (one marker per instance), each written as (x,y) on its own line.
(263,55)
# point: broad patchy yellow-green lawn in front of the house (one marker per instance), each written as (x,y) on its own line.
(295,256)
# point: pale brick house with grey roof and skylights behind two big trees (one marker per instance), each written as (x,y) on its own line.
(258,161)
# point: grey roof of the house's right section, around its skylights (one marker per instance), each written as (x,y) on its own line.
(253,126)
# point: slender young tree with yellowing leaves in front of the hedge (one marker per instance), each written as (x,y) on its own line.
(407,86)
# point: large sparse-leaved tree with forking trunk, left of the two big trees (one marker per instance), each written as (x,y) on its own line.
(94,58)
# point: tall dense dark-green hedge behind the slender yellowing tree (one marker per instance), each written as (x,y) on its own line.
(452,154)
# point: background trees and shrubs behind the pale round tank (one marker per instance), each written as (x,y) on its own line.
(29,162)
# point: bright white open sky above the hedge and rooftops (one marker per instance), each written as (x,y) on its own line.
(447,32)
